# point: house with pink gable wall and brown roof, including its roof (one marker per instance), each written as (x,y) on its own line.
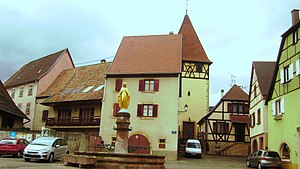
(34,78)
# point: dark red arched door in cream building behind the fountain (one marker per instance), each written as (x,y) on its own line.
(138,143)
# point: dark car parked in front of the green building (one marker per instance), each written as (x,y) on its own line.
(264,159)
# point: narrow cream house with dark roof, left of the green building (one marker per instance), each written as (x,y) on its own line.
(261,77)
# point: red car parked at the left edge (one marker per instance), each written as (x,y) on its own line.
(13,146)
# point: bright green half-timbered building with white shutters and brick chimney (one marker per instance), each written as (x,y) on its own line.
(283,116)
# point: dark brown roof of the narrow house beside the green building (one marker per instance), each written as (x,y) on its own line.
(264,72)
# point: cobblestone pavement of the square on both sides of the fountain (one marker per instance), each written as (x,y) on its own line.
(206,162)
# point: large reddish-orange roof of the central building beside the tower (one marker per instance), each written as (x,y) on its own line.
(156,54)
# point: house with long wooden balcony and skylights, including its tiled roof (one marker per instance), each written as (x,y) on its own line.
(72,103)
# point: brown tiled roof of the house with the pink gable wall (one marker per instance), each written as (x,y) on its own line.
(34,70)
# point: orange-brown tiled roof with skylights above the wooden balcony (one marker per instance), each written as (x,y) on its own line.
(71,83)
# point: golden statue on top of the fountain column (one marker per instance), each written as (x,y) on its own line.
(124,98)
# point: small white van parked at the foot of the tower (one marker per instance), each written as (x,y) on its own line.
(193,148)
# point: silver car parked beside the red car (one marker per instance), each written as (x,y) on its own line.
(46,148)
